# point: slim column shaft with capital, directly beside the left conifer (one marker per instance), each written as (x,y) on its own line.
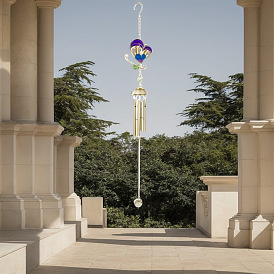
(45,59)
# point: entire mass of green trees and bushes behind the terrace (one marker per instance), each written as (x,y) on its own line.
(171,166)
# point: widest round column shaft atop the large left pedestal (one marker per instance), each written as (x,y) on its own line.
(24,61)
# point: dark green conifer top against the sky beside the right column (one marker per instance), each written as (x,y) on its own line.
(221,104)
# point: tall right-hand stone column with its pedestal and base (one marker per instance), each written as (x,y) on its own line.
(253,225)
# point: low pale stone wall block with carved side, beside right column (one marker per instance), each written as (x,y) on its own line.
(216,206)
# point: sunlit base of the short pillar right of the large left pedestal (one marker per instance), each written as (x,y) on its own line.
(72,207)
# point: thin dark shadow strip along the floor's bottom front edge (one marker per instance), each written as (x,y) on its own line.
(77,270)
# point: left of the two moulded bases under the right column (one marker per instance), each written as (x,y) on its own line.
(239,230)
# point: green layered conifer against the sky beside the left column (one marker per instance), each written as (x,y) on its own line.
(74,99)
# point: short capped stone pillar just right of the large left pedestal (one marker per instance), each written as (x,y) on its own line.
(65,176)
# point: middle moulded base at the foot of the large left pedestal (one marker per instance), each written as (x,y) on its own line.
(33,212)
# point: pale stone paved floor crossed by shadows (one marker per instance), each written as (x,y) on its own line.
(157,251)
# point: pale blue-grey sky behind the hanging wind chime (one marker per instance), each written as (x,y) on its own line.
(186,36)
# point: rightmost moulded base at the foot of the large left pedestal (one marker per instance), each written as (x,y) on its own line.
(53,212)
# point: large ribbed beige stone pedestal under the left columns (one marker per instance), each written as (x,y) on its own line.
(28,199)
